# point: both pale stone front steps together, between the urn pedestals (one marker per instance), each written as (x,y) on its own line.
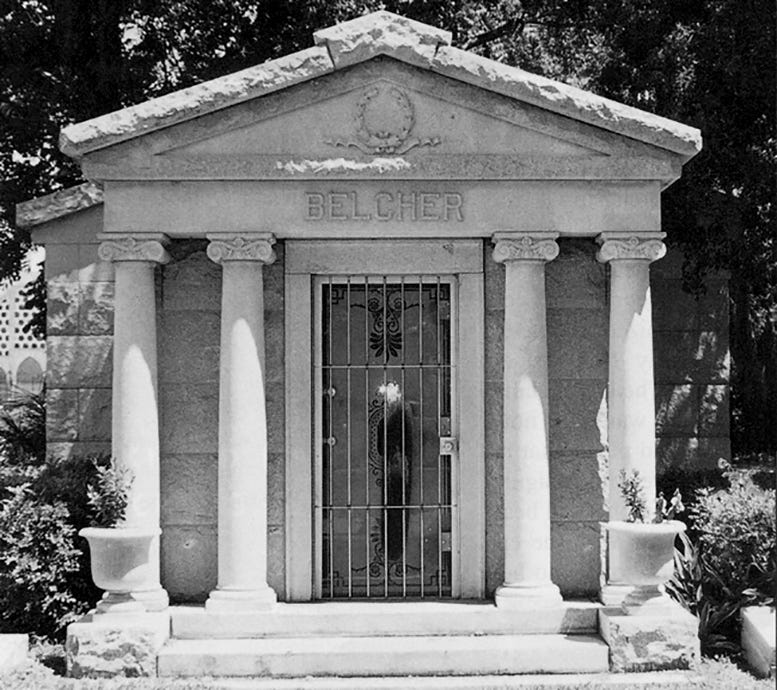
(384,639)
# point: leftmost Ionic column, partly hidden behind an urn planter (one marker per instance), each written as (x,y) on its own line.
(135,414)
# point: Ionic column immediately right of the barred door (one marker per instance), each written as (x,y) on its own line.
(527,582)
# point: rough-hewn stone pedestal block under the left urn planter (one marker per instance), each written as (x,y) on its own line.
(103,646)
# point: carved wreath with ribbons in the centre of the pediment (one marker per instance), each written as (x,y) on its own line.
(383,121)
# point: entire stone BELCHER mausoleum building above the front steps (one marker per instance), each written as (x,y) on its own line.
(374,321)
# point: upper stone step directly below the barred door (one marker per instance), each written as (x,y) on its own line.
(384,618)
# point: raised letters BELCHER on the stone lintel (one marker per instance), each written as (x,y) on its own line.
(385,206)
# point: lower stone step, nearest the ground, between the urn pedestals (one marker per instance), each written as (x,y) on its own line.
(384,656)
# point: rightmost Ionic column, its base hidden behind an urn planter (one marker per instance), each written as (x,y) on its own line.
(631,408)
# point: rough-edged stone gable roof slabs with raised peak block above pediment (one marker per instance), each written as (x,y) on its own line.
(359,40)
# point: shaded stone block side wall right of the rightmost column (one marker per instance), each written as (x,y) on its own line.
(692,368)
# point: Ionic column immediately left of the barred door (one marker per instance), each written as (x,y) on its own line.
(242,487)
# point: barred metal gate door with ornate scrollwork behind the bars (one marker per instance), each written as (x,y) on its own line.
(386,455)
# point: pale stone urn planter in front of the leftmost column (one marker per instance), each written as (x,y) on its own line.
(121,562)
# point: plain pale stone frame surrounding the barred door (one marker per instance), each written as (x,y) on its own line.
(305,259)
